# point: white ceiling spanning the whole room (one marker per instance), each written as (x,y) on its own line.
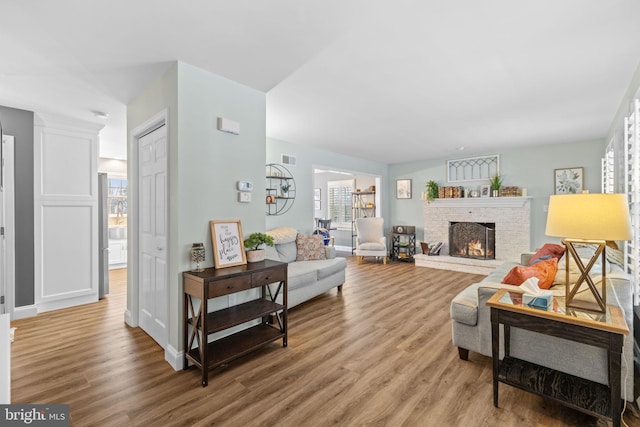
(392,81)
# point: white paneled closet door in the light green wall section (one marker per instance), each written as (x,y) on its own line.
(154,307)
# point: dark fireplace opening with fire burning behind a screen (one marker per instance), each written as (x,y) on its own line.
(472,240)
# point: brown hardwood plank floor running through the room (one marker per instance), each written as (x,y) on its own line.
(378,354)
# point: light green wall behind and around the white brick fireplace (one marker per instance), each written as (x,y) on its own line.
(529,167)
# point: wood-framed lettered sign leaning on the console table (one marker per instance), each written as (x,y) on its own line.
(228,243)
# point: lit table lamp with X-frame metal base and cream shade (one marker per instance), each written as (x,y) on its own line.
(588,219)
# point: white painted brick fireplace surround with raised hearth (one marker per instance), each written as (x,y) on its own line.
(511,215)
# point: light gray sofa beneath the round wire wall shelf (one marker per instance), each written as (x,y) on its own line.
(306,279)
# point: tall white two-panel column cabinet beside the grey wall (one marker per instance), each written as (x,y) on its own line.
(66,212)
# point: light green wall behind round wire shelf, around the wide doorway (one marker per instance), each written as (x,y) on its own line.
(301,214)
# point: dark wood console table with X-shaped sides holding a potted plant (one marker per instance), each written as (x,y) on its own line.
(199,323)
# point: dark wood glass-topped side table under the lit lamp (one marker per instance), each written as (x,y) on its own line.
(605,330)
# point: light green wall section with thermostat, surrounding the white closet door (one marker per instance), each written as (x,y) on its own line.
(204,163)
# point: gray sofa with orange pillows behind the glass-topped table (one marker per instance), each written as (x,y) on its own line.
(471,330)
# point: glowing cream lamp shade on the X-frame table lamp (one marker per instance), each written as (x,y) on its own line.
(589,216)
